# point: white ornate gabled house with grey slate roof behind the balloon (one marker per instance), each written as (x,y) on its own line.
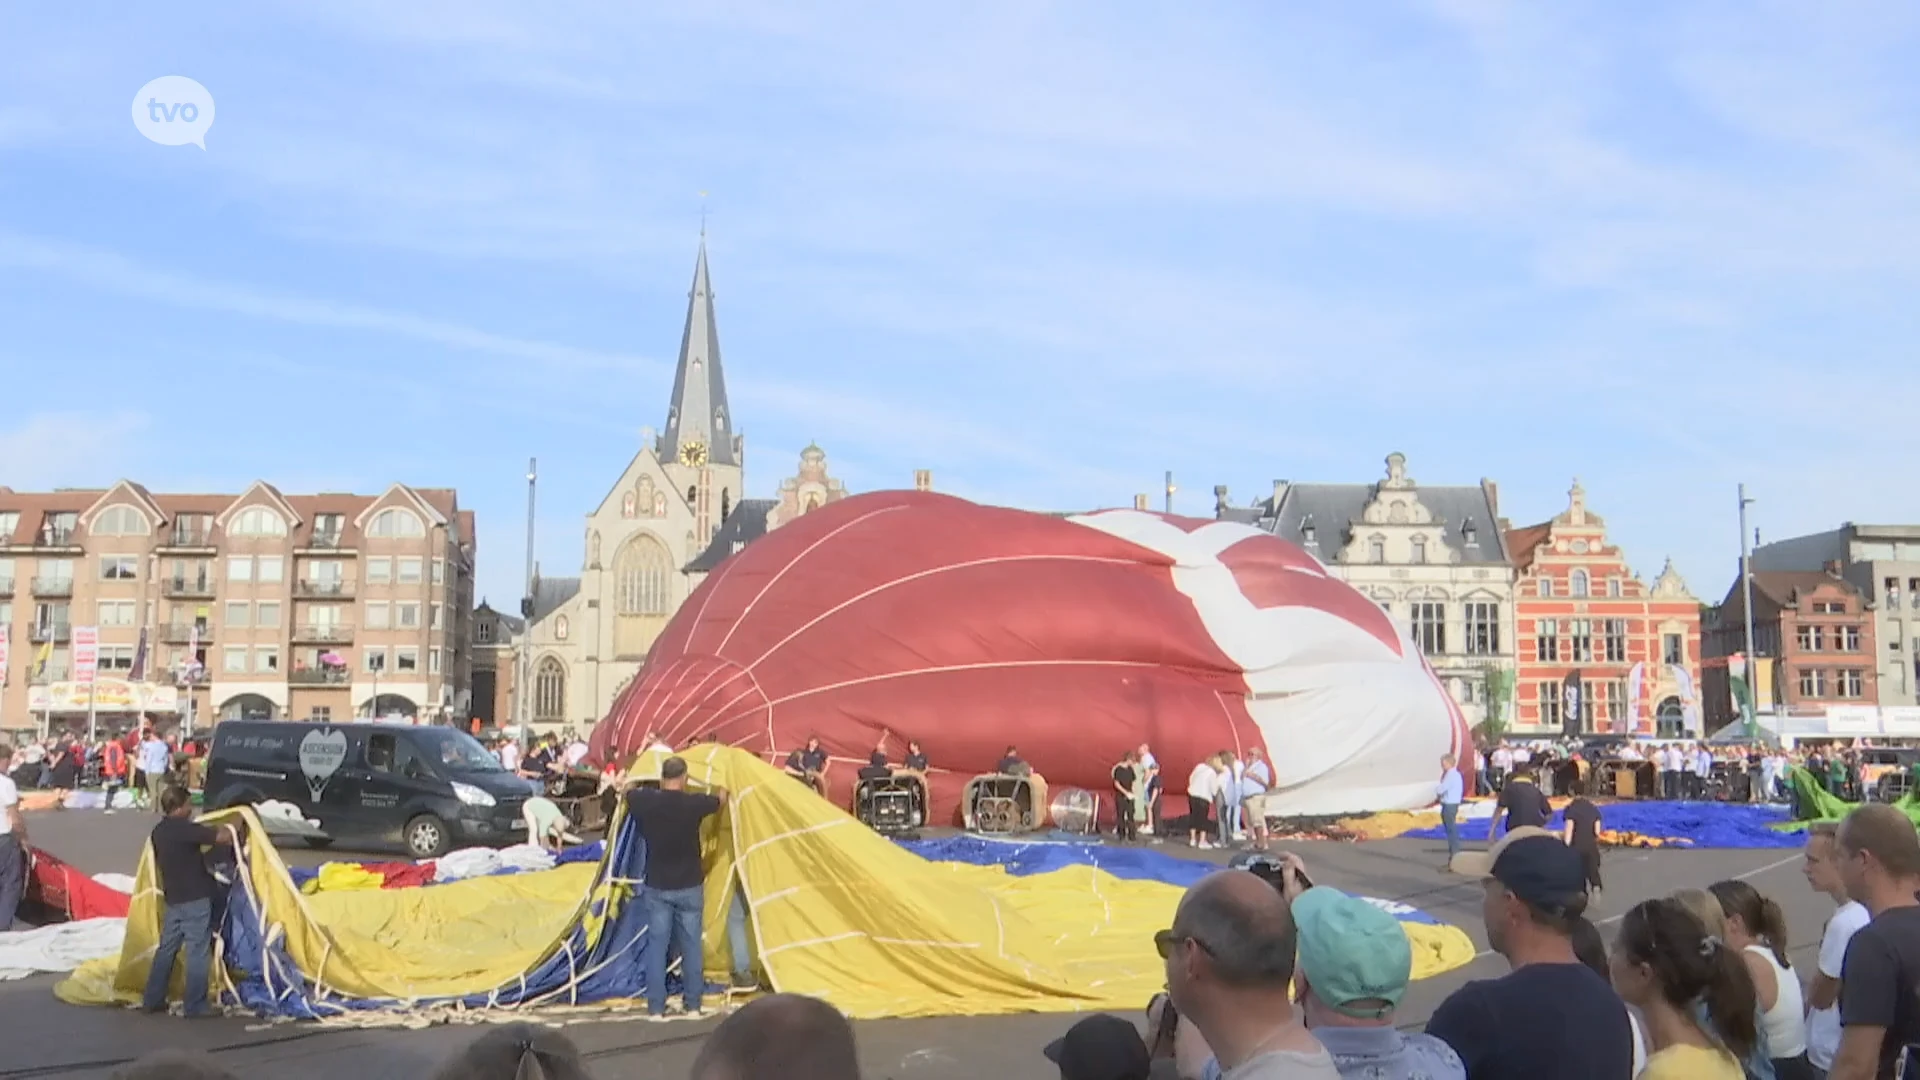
(1431,556)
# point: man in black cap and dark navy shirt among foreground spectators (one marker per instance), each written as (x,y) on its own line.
(1552,1016)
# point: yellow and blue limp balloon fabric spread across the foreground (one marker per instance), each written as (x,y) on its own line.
(836,912)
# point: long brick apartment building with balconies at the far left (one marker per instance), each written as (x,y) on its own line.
(249,606)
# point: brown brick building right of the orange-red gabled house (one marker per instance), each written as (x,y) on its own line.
(1817,626)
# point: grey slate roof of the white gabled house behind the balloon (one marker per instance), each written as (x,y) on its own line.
(1335,510)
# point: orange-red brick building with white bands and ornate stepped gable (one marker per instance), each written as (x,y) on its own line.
(1587,624)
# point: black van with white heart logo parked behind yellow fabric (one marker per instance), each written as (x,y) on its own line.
(427,787)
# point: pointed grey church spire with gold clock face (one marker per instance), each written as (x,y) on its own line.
(700,447)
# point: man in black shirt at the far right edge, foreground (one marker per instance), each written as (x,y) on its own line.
(1879,1016)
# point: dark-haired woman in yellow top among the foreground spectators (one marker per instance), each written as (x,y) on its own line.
(1664,964)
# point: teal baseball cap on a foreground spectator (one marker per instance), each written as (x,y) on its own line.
(1353,952)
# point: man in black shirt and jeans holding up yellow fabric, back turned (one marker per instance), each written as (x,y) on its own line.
(671,881)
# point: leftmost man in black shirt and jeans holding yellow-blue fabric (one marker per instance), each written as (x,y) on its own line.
(189,893)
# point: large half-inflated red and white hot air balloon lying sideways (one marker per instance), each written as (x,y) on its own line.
(1076,639)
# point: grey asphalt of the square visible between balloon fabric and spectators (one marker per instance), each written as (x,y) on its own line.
(43,1037)
